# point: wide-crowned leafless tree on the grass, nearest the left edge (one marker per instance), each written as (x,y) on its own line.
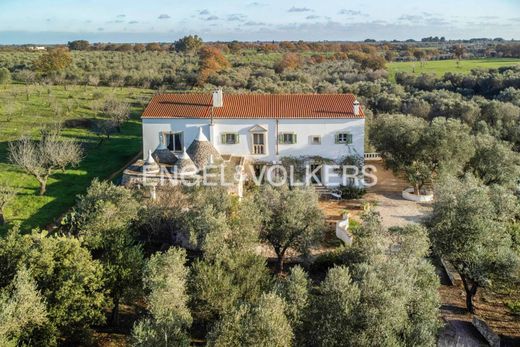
(42,158)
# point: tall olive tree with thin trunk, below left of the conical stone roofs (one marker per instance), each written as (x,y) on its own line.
(103,219)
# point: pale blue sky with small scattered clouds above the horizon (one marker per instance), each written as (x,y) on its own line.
(59,21)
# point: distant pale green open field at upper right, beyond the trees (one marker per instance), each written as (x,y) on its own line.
(440,67)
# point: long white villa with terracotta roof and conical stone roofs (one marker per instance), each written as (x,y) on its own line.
(251,128)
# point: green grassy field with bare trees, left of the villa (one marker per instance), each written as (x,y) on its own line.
(37,108)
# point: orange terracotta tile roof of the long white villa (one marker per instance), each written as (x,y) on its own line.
(253,106)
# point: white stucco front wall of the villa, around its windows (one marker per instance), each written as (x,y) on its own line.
(304,128)
